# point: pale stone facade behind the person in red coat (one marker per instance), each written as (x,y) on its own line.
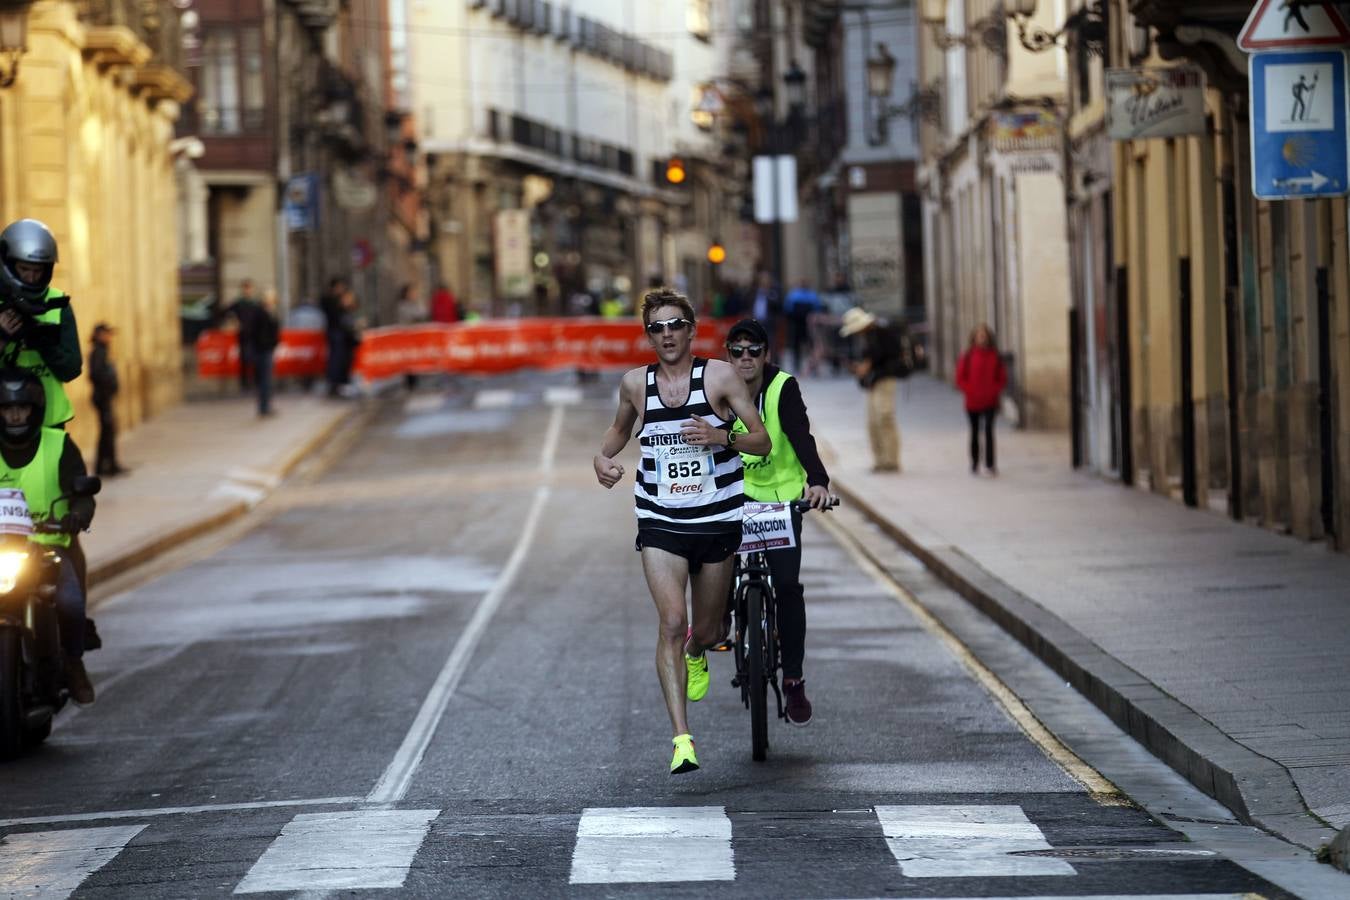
(994,203)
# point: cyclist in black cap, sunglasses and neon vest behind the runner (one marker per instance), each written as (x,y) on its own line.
(793,470)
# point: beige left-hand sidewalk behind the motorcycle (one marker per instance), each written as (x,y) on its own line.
(196,468)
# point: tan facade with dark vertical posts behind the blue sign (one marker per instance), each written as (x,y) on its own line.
(1220,374)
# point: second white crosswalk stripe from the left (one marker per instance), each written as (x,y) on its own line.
(341,852)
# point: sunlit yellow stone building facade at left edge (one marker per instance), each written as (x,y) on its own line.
(87,145)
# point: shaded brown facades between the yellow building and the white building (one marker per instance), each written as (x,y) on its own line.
(307,169)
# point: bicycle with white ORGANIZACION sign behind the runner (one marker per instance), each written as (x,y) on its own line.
(755,625)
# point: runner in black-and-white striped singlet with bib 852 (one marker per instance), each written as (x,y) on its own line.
(688,495)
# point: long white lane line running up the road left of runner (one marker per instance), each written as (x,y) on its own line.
(396,781)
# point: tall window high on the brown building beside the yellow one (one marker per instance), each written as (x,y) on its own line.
(233,96)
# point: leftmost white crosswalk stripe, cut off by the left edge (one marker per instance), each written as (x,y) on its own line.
(49,866)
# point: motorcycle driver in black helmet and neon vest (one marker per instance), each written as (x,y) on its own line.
(44,463)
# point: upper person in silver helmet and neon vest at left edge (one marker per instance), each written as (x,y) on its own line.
(37,326)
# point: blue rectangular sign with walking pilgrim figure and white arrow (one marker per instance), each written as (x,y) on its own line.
(1301,145)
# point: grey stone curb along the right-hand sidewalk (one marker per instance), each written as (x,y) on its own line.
(1259,791)
